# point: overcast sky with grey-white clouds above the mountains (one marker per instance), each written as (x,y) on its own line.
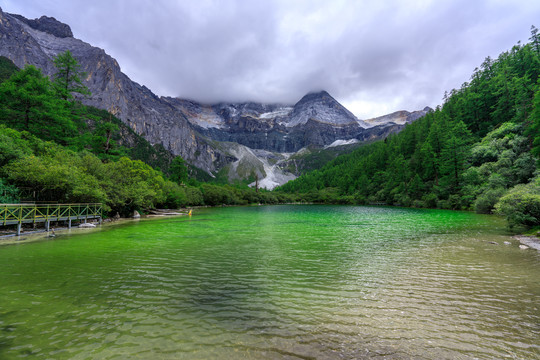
(375,57)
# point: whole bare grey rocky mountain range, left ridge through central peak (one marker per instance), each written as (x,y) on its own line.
(208,136)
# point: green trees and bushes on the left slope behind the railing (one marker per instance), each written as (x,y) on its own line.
(53,148)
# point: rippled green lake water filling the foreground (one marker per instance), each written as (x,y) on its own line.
(275,282)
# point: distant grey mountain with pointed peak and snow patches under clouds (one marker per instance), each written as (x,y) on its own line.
(316,119)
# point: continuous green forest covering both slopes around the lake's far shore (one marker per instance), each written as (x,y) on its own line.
(478,151)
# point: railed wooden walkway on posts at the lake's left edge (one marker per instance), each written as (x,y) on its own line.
(19,214)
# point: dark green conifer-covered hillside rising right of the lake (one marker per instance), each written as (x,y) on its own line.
(479,150)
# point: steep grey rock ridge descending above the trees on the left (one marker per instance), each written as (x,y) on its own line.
(36,42)
